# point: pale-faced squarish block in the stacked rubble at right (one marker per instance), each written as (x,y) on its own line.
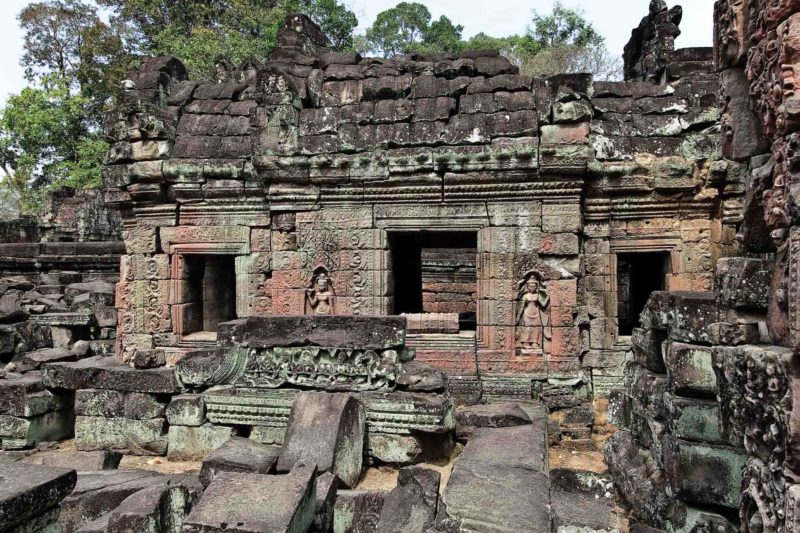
(690,370)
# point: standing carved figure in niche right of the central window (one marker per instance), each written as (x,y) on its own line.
(533,332)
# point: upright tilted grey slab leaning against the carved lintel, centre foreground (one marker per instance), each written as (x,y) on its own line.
(327,429)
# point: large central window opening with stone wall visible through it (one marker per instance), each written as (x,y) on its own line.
(435,272)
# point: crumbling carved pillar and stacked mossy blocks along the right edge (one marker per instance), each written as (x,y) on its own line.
(739,366)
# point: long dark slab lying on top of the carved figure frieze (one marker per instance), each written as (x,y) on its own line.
(374,333)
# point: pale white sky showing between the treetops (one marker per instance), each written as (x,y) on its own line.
(613,19)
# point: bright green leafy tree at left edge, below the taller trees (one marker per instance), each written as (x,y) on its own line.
(47,140)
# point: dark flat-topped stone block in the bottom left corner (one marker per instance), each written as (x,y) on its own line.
(28,492)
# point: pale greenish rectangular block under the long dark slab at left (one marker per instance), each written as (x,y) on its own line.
(139,437)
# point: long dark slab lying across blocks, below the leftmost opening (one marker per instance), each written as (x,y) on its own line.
(105,373)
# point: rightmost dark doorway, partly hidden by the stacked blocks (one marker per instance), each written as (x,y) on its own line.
(638,276)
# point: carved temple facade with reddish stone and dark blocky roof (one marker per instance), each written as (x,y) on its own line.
(307,166)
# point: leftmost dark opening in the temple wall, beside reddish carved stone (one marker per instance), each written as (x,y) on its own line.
(210,290)
